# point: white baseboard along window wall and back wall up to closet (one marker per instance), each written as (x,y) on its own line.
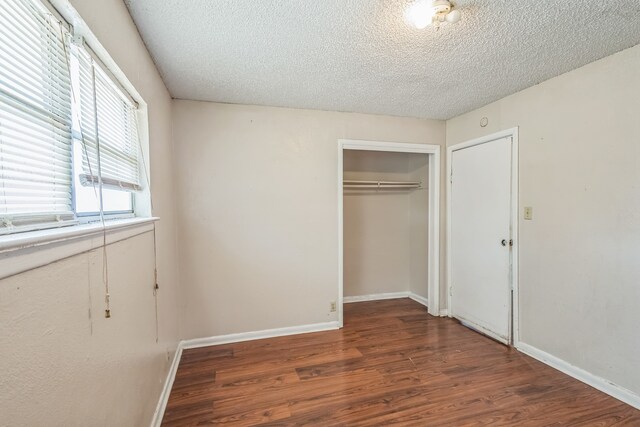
(226,339)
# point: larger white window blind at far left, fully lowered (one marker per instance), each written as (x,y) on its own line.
(35,118)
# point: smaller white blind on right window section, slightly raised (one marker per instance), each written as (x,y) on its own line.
(109,129)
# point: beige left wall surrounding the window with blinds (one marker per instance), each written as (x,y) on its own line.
(58,366)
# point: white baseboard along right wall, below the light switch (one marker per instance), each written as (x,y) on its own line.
(588,378)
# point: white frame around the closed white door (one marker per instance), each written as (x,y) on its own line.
(514,312)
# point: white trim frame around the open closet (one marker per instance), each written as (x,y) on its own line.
(433,261)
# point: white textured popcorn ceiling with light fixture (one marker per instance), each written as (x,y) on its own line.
(360,55)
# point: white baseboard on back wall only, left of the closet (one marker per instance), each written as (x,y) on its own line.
(258,335)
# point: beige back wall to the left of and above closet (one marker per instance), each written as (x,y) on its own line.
(259,242)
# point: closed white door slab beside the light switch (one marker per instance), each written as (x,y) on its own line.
(480,237)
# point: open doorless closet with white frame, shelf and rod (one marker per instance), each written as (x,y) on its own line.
(388,222)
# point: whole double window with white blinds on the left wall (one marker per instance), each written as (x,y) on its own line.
(69,146)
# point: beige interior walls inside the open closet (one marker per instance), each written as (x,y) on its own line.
(385,230)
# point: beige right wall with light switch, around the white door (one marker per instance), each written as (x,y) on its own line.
(580,171)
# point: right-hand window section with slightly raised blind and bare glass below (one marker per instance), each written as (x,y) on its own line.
(106,129)
